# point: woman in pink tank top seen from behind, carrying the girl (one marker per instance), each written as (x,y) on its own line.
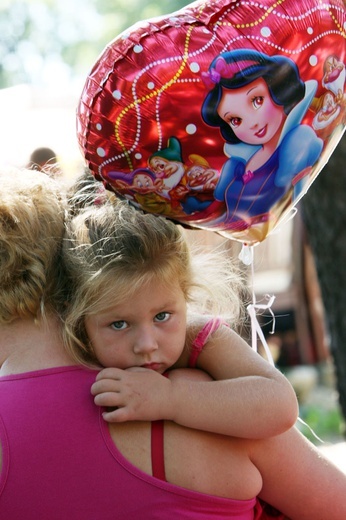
(58,458)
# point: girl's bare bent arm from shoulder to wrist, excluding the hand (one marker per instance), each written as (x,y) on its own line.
(249,397)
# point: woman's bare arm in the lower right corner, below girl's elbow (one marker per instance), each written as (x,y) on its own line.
(298,480)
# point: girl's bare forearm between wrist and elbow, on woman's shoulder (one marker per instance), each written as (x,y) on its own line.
(247,407)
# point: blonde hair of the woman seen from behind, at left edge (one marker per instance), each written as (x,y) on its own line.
(32,211)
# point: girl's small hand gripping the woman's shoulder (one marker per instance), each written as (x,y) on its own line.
(137,394)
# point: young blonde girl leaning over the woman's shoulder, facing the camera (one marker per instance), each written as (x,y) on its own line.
(133,286)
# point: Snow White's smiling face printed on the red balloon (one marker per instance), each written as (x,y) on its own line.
(251,113)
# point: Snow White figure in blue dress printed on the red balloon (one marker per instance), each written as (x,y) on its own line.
(258,102)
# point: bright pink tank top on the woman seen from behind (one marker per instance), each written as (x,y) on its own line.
(59,460)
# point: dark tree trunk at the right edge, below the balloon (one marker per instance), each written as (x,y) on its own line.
(324,215)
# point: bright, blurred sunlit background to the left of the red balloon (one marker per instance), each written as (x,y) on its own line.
(47,48)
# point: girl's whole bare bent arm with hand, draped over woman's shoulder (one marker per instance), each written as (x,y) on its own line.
(250,399)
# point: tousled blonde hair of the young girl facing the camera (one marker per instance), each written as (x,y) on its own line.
(111,251)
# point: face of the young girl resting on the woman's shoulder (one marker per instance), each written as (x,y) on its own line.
(147,331)
